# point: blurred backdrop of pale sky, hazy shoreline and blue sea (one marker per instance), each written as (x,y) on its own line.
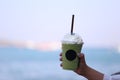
(31,32)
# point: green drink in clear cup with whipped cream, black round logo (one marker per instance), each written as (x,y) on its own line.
(71,47)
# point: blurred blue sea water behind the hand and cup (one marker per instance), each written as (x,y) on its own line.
(26,64)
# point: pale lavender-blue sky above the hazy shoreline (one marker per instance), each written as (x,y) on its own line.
(96,21)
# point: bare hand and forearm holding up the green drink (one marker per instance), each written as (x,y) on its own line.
(86,71)
